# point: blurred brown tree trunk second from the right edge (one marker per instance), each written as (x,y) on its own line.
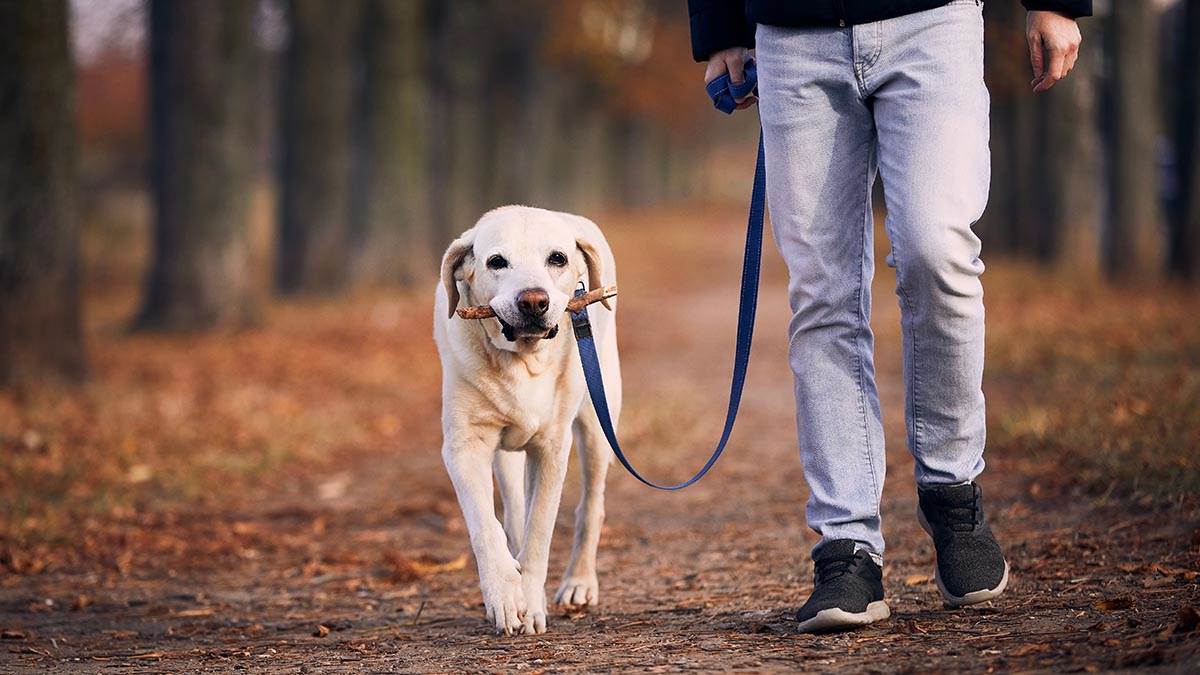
(1132,247)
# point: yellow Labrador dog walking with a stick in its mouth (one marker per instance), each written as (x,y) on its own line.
(513,398)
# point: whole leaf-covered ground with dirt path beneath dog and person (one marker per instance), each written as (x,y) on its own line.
(274,499)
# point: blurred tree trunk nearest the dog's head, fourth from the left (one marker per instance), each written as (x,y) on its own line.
(391,225)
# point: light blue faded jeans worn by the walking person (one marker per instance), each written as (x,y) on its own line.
(904,99)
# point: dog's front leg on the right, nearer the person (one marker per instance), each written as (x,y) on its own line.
(547,470)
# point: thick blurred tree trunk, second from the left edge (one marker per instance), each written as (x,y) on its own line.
(203,67)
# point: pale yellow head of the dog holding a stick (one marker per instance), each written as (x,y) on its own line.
(525,264)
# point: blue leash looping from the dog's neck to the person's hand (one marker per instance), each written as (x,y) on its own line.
(724,94)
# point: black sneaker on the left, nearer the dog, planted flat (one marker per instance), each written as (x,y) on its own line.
(848,590)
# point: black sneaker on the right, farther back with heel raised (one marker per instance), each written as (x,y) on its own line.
(971,569)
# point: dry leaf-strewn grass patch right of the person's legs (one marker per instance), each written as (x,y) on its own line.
(1101,384)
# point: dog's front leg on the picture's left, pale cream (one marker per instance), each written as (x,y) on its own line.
(470,464)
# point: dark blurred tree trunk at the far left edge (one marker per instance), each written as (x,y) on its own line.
(40,324)
